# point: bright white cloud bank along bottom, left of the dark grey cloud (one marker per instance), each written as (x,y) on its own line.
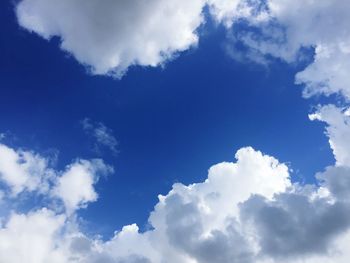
(198,221)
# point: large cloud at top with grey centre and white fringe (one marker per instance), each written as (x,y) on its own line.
(110,36)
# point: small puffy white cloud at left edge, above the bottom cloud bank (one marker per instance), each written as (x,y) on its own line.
(28,172)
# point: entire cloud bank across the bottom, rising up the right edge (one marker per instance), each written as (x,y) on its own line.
(245,211)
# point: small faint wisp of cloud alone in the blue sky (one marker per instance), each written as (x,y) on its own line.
(103,135)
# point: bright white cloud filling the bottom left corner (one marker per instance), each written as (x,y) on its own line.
(32,238)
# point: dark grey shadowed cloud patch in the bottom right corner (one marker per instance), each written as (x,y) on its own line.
(292,226)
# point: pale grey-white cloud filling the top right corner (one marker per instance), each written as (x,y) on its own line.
(323,25)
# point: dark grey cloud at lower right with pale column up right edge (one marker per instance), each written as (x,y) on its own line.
(308,222)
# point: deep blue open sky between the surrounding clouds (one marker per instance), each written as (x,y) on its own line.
(171,122)
